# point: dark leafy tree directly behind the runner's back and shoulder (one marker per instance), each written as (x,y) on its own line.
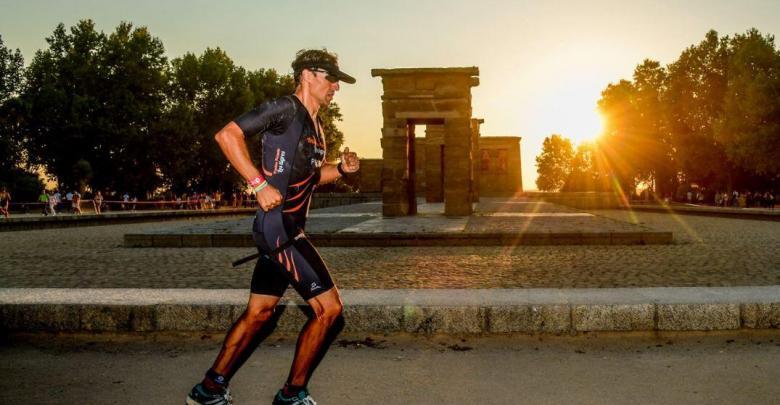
(206,92)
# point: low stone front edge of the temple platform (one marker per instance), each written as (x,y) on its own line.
(386,239)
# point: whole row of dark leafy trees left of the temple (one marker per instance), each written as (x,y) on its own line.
(111,111)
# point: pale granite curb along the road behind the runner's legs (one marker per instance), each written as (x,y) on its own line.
(534,311)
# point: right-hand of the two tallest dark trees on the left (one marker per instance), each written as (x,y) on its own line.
(131,65)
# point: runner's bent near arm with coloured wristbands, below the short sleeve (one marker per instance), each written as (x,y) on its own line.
(231,141)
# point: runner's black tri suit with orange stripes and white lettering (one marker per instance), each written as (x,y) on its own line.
(293,151)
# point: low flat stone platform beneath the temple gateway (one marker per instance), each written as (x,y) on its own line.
(495,222)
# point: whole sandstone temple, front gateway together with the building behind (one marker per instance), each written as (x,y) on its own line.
(452,163)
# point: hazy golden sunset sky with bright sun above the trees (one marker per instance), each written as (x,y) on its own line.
(542,64)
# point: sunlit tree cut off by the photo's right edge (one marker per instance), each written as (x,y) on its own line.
(749,128)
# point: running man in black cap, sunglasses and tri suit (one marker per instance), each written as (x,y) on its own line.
(293,164)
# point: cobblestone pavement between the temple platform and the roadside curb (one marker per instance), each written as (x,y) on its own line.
(707,252)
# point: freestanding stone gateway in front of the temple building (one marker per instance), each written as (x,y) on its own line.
(439,98)
